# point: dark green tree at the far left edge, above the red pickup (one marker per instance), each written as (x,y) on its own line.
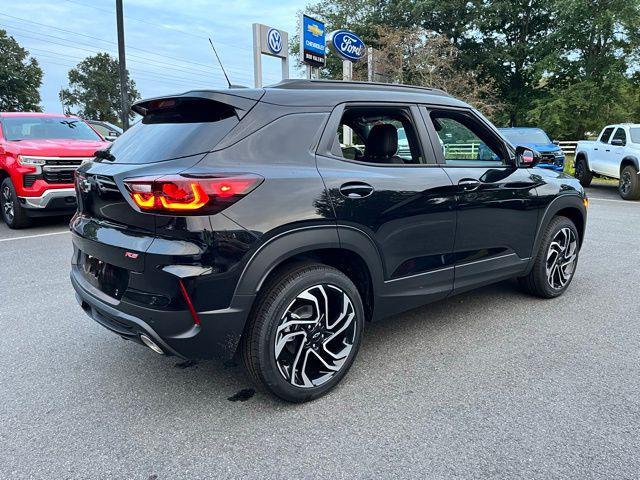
(20,77)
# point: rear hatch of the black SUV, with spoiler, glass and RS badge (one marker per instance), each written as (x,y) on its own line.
(115,241)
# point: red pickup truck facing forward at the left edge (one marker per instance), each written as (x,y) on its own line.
(39,153)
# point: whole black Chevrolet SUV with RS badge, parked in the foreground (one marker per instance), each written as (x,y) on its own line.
(274,223)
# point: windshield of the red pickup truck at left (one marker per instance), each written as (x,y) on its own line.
(42,128)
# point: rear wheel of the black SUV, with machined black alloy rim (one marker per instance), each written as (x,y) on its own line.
(273,353)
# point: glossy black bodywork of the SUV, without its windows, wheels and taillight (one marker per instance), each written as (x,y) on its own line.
(419,235)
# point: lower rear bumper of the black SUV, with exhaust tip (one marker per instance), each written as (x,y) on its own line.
(217,336)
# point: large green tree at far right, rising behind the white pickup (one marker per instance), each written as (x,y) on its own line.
(592,76)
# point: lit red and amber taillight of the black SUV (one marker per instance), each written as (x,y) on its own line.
(190,195)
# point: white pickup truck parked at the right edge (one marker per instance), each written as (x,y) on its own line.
(615,154)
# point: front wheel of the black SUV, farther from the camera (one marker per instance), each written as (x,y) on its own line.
(552,272)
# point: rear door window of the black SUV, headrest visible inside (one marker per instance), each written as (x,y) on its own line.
(382,135)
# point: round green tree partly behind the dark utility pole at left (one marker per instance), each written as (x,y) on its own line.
(94,88)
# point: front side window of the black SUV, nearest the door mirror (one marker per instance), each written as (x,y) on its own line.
(465,141)
